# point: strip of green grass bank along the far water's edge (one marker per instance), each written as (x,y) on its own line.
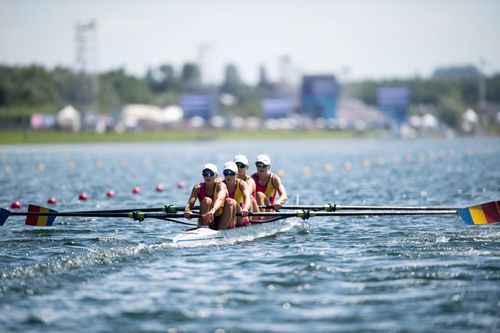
(8,137)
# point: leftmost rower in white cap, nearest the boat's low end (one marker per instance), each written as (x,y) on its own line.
(211,193)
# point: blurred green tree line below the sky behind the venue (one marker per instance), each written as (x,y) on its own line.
(25,90)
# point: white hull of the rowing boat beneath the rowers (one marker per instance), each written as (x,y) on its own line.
(204,236)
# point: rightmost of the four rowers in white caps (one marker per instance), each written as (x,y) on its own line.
(267,184)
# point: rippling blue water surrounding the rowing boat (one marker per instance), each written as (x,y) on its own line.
(386,274)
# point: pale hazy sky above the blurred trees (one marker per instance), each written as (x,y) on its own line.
(352,39)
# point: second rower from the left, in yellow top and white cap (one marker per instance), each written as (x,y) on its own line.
(239,192)
